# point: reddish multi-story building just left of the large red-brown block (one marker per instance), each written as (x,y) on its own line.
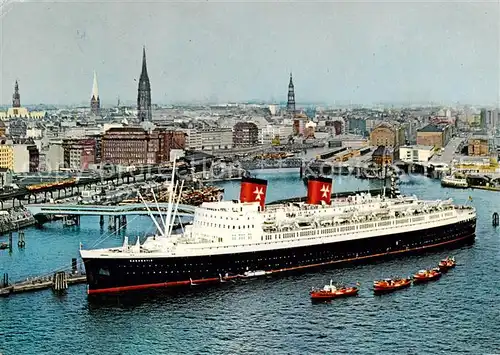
(78,153)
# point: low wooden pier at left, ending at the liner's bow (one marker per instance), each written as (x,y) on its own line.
(59,282)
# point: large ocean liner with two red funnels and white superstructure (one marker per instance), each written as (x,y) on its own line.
(245,238)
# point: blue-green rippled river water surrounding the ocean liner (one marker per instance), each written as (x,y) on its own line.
(459,314)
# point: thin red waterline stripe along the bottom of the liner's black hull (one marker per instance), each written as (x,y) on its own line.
(216,279)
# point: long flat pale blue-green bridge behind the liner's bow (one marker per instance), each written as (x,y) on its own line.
(99,210)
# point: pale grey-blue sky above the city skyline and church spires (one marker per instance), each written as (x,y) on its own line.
(200,52)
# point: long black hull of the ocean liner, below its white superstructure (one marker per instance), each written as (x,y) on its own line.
(118,275)
